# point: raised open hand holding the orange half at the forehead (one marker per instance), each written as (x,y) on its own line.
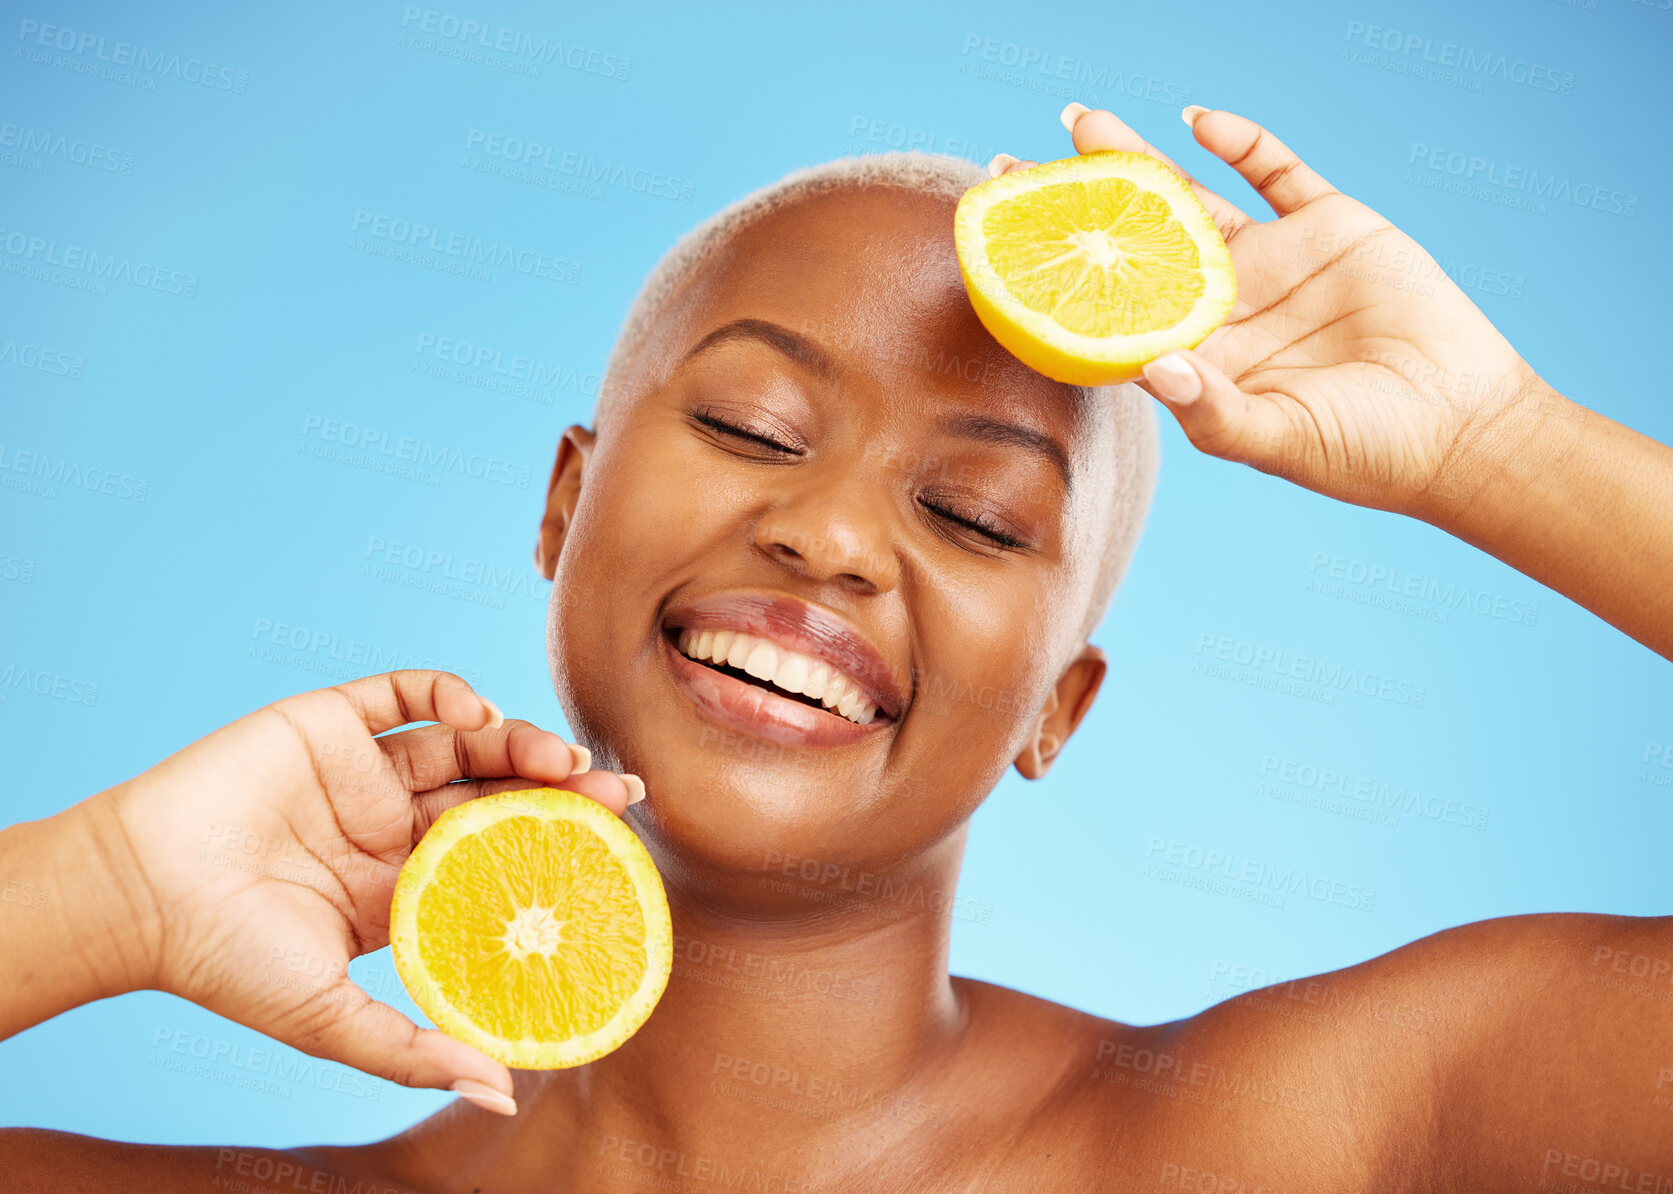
(1351,364)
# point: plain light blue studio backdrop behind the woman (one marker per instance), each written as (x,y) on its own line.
(168,605)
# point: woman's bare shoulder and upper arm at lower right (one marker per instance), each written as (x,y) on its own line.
(1490,1056)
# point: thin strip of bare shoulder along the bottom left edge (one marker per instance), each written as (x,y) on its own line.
(66,1163)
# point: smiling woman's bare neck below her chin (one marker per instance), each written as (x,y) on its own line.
(834,1003)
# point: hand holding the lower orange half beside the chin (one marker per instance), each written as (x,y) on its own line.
(269,852)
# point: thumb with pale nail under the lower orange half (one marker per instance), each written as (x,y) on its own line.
(374,1038)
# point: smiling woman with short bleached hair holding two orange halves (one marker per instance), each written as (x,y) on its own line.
(785,454)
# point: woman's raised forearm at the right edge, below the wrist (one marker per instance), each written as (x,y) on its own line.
(1577,503)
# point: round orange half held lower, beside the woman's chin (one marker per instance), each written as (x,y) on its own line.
(535,927)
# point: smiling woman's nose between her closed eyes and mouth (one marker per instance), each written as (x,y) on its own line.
(832,529)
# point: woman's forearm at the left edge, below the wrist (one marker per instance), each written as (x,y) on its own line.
(69,927)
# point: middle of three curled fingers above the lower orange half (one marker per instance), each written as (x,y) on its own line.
(439,755)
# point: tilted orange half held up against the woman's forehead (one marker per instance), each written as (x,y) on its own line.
(1092,267)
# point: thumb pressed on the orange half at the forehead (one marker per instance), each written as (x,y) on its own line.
(1220,419)
